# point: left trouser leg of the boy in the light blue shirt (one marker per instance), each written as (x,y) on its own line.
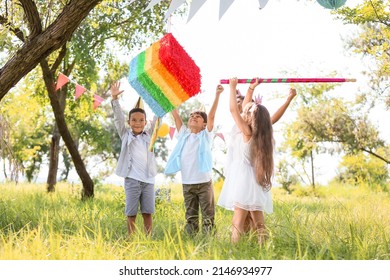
(191,202)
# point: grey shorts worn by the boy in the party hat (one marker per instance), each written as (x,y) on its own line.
(139,194)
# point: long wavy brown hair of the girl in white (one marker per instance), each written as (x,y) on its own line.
(262,143)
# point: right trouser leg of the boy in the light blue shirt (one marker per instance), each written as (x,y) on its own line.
(207,205)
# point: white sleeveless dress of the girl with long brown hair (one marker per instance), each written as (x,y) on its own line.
(240,188)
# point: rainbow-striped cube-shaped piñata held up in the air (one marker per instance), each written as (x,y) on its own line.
(164,75)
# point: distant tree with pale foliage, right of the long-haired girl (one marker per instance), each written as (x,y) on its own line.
(329,124)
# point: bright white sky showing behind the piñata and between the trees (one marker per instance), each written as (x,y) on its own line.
(287,36)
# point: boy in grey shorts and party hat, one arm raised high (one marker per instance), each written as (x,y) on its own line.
(136,164)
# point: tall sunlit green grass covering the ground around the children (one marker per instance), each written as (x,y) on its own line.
(333,222)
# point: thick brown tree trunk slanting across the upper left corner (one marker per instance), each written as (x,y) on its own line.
(40,46)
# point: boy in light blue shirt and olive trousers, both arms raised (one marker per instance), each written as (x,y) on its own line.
(192,156)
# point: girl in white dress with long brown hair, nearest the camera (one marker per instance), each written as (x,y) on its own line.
(247,185)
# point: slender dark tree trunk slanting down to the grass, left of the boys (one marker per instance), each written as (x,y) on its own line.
(88,187)
